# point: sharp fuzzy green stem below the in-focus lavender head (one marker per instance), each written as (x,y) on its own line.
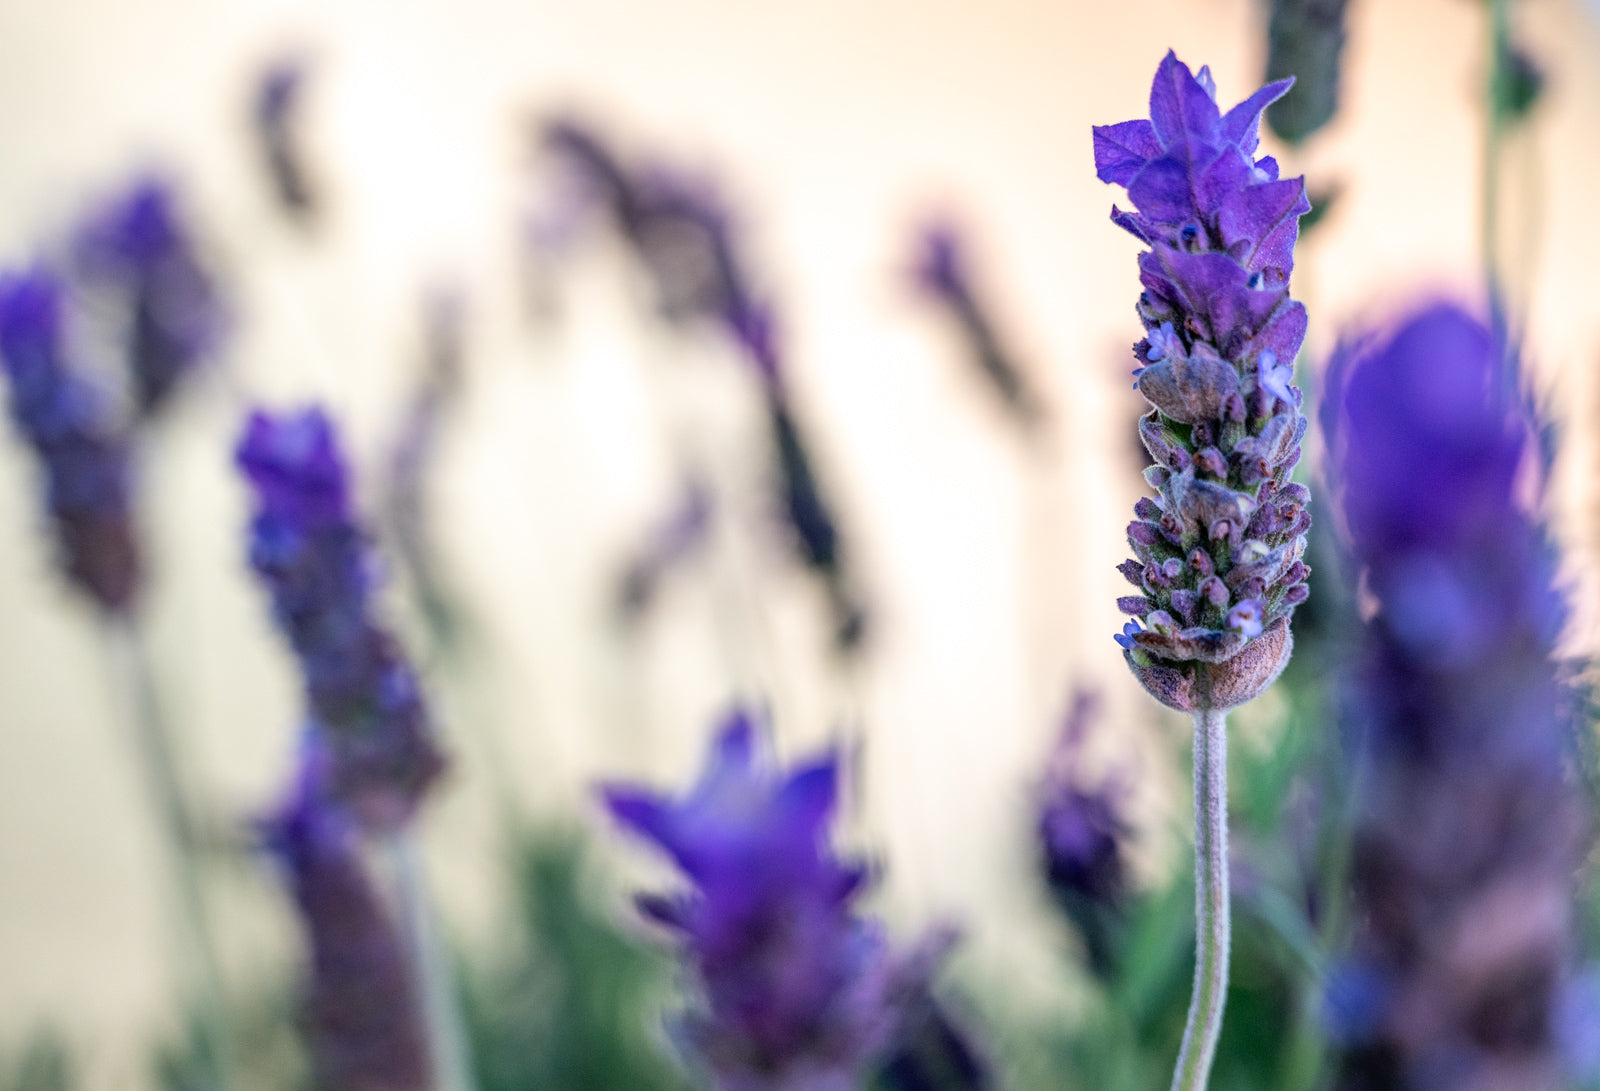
(1212,906)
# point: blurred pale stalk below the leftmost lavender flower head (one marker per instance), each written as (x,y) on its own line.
(159,767)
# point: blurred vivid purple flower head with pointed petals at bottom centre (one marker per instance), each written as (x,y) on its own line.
(796,986)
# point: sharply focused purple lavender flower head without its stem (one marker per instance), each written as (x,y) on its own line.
(1218,553)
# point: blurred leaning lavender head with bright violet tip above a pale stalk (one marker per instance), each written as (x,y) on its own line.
(308,549)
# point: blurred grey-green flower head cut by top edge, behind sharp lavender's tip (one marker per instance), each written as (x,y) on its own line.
(1306,42)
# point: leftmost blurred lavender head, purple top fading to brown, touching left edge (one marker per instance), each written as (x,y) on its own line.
(79,438)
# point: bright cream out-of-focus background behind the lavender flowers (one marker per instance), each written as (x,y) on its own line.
(833,126)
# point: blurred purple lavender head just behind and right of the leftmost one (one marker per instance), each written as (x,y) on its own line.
(140,254)
